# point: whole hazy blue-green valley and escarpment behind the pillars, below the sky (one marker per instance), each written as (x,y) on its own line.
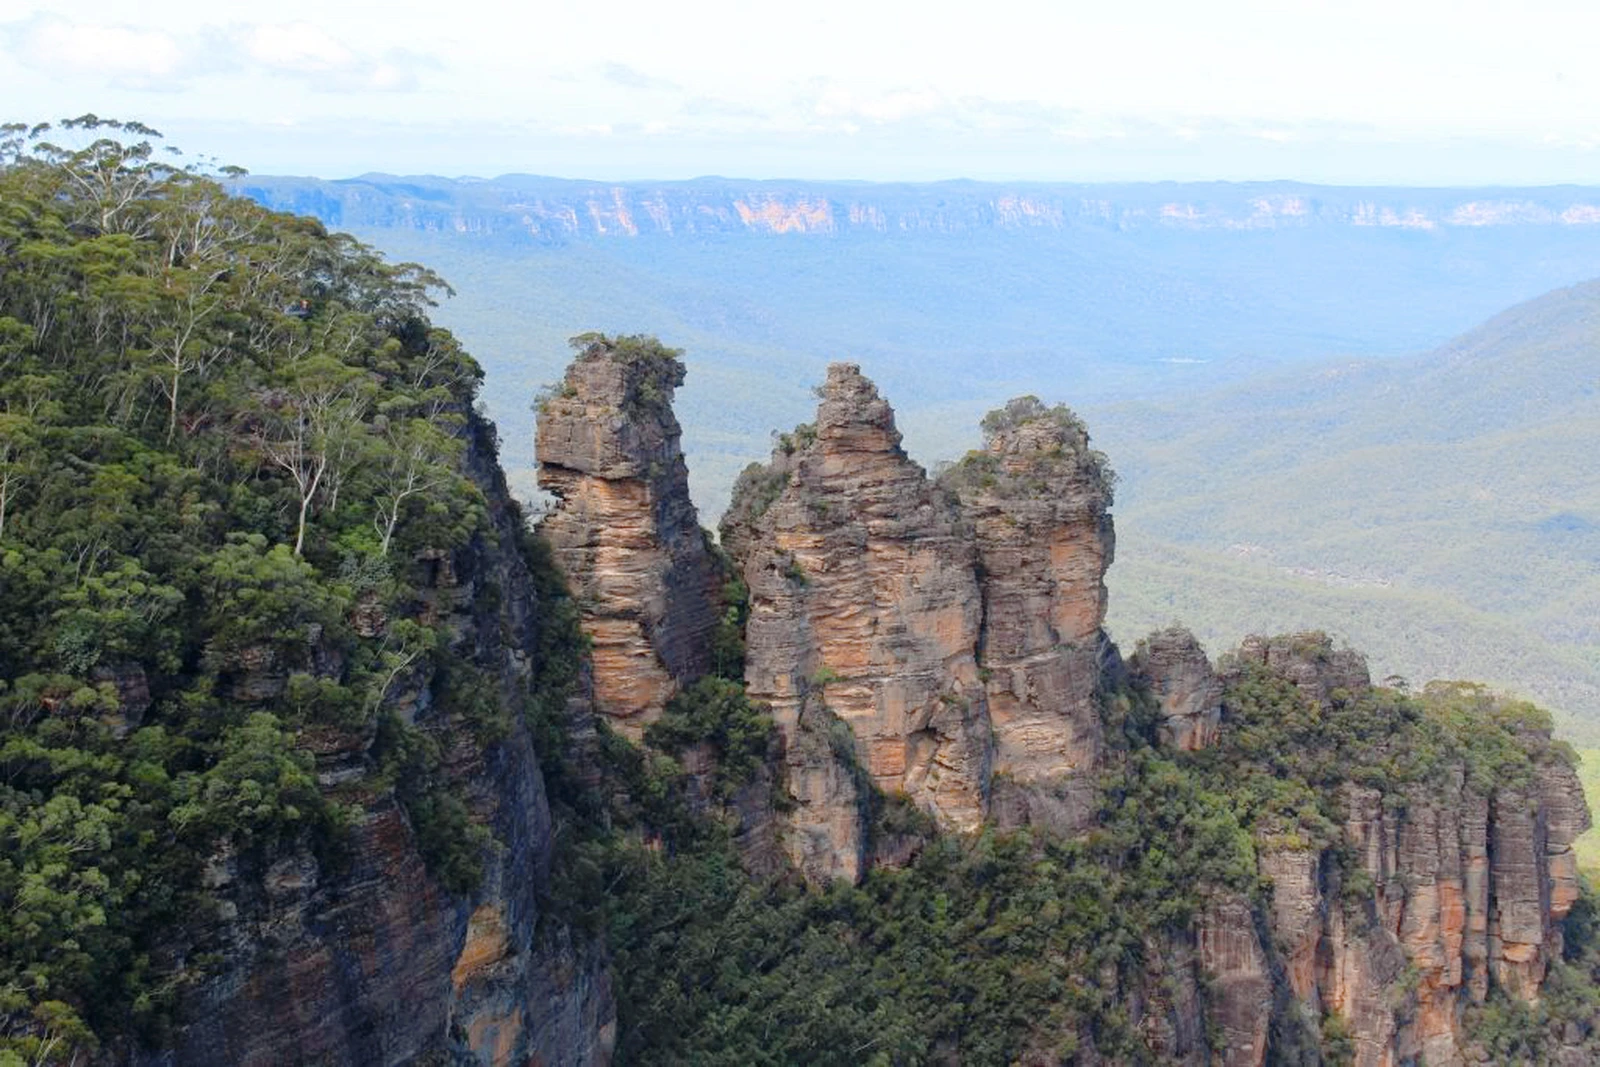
(1242,353)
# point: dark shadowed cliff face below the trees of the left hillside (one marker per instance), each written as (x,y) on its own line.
(375,962)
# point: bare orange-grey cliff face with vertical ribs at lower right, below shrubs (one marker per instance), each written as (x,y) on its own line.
(1468,889)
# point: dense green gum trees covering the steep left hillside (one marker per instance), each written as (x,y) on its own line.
(225,436)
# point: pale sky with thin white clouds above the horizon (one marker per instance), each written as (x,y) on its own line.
(1359,92)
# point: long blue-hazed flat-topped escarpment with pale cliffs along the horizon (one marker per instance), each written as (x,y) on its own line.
(524,207)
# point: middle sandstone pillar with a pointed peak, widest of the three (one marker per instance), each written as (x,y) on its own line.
(863,601)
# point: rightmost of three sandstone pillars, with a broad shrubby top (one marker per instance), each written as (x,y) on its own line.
(1036,498)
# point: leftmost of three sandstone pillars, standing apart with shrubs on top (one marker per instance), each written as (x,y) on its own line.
(625,529)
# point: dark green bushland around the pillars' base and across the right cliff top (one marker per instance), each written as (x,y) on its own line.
(1001,946)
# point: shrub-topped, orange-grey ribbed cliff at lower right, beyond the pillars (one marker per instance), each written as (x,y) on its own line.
(1446,869)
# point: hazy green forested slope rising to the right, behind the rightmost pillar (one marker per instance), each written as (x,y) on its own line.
(1439,511)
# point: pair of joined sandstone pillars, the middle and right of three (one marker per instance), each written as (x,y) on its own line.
(954,628)
